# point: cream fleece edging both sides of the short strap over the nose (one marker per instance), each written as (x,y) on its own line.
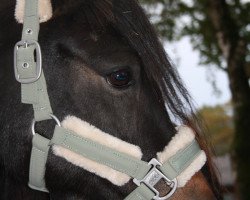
(184,136)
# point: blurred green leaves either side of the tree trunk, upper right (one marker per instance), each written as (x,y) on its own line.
(177,18)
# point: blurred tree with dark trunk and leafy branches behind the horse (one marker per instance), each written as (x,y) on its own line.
(220,31)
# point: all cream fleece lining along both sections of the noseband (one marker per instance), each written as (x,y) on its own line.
(183,137)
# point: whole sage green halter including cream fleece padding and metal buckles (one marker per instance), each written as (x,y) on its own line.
(86,146)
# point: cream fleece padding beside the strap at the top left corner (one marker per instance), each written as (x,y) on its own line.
(44,10)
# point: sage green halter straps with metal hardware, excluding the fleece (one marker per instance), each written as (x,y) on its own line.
(28,71)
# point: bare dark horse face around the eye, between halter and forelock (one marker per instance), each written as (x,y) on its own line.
(98,77)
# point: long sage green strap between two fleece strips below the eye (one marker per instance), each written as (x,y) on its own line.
(101,154)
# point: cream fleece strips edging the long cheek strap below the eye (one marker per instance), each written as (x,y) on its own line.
(86,130)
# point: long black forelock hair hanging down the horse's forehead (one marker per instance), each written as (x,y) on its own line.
(130,21)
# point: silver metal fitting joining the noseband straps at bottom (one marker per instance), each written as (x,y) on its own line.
(153,177)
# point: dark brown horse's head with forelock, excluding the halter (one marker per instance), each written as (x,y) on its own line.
(104,64)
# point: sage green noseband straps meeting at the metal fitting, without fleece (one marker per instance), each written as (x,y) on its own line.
(127,164)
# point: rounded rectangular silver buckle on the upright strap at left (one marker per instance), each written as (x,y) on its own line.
(25,65)
